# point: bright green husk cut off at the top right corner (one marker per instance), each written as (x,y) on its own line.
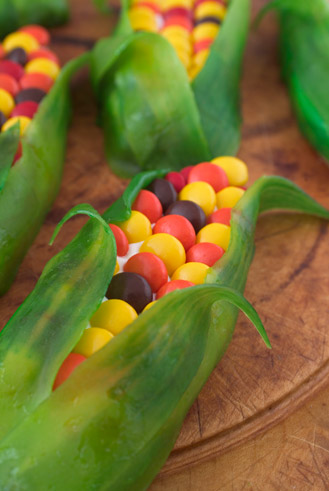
(304,49)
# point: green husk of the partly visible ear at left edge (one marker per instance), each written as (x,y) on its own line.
(31,185)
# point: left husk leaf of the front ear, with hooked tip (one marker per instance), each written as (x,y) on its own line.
(50,322)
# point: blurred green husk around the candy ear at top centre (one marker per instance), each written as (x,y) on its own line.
(152,116)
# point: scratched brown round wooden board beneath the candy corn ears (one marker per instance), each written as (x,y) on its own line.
(261,421)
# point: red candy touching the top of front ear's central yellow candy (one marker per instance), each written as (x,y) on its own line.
(178,226)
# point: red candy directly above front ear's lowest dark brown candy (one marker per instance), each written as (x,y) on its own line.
(150,266)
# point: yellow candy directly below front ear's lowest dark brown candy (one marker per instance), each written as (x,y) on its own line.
(114,315)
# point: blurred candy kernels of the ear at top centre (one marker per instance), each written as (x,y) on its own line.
(189,25)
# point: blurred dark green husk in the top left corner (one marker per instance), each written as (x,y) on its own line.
(17,13)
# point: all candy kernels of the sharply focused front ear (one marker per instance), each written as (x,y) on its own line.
(178,228)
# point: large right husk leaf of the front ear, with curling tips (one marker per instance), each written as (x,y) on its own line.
(112,424)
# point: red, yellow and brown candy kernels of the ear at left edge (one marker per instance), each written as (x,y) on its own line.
(28,69)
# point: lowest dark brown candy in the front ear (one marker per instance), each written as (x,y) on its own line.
(132,288)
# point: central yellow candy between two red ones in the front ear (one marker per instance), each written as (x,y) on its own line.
(167,248)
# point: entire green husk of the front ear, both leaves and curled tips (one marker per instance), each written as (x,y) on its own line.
(113,423)
